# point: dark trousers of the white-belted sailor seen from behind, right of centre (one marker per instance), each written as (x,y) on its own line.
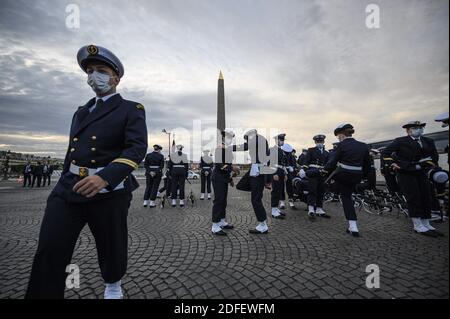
(345,186)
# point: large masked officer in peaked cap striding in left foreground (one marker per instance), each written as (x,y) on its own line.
(108,140)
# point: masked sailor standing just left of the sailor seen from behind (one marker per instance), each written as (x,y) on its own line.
(316,158)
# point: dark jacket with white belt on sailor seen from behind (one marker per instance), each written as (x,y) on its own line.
(350,152)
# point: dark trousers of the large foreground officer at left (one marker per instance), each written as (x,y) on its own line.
(63,222)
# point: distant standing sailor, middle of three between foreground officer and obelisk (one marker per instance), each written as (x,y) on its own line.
(178,166)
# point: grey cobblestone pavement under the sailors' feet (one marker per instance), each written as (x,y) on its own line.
(172,253)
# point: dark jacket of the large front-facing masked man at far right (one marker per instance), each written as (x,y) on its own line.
(408,153)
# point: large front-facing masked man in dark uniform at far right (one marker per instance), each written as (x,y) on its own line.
(411,156)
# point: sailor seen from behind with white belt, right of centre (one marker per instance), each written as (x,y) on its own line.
(349,163)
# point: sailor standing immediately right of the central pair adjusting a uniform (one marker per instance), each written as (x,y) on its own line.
(279,163)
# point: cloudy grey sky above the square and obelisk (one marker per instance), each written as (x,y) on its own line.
(301,67)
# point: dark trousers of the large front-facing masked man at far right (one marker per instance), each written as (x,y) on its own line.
(416,188)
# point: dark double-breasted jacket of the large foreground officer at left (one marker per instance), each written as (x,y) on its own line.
(113,136)
